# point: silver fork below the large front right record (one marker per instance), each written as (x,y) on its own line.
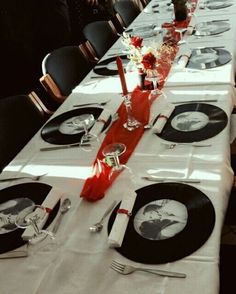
(128,269)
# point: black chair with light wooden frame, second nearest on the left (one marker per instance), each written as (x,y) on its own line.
(63,69)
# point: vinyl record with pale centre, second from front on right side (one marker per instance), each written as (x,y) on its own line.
(194,122)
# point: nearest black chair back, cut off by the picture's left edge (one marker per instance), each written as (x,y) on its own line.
(20,118)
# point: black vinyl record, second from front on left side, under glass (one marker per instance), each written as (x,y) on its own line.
(55,132)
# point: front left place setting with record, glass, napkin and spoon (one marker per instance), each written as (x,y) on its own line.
(30,214)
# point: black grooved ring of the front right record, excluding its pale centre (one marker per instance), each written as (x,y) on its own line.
(199,226)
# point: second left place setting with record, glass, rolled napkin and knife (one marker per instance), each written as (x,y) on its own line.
(79,127)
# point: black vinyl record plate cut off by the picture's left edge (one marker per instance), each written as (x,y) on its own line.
(10,236)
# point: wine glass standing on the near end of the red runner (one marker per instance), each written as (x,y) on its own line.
(112,153)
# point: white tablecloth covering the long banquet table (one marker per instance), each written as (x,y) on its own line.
(80,262)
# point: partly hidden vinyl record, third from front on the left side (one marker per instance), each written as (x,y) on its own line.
(108,67)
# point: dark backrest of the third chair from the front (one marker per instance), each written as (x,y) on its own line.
(101,35)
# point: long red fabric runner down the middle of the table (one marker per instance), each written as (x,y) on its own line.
(96,186)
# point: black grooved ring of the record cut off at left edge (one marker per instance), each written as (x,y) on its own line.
(37,192)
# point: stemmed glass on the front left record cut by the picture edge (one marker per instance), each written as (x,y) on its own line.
(31,217)
